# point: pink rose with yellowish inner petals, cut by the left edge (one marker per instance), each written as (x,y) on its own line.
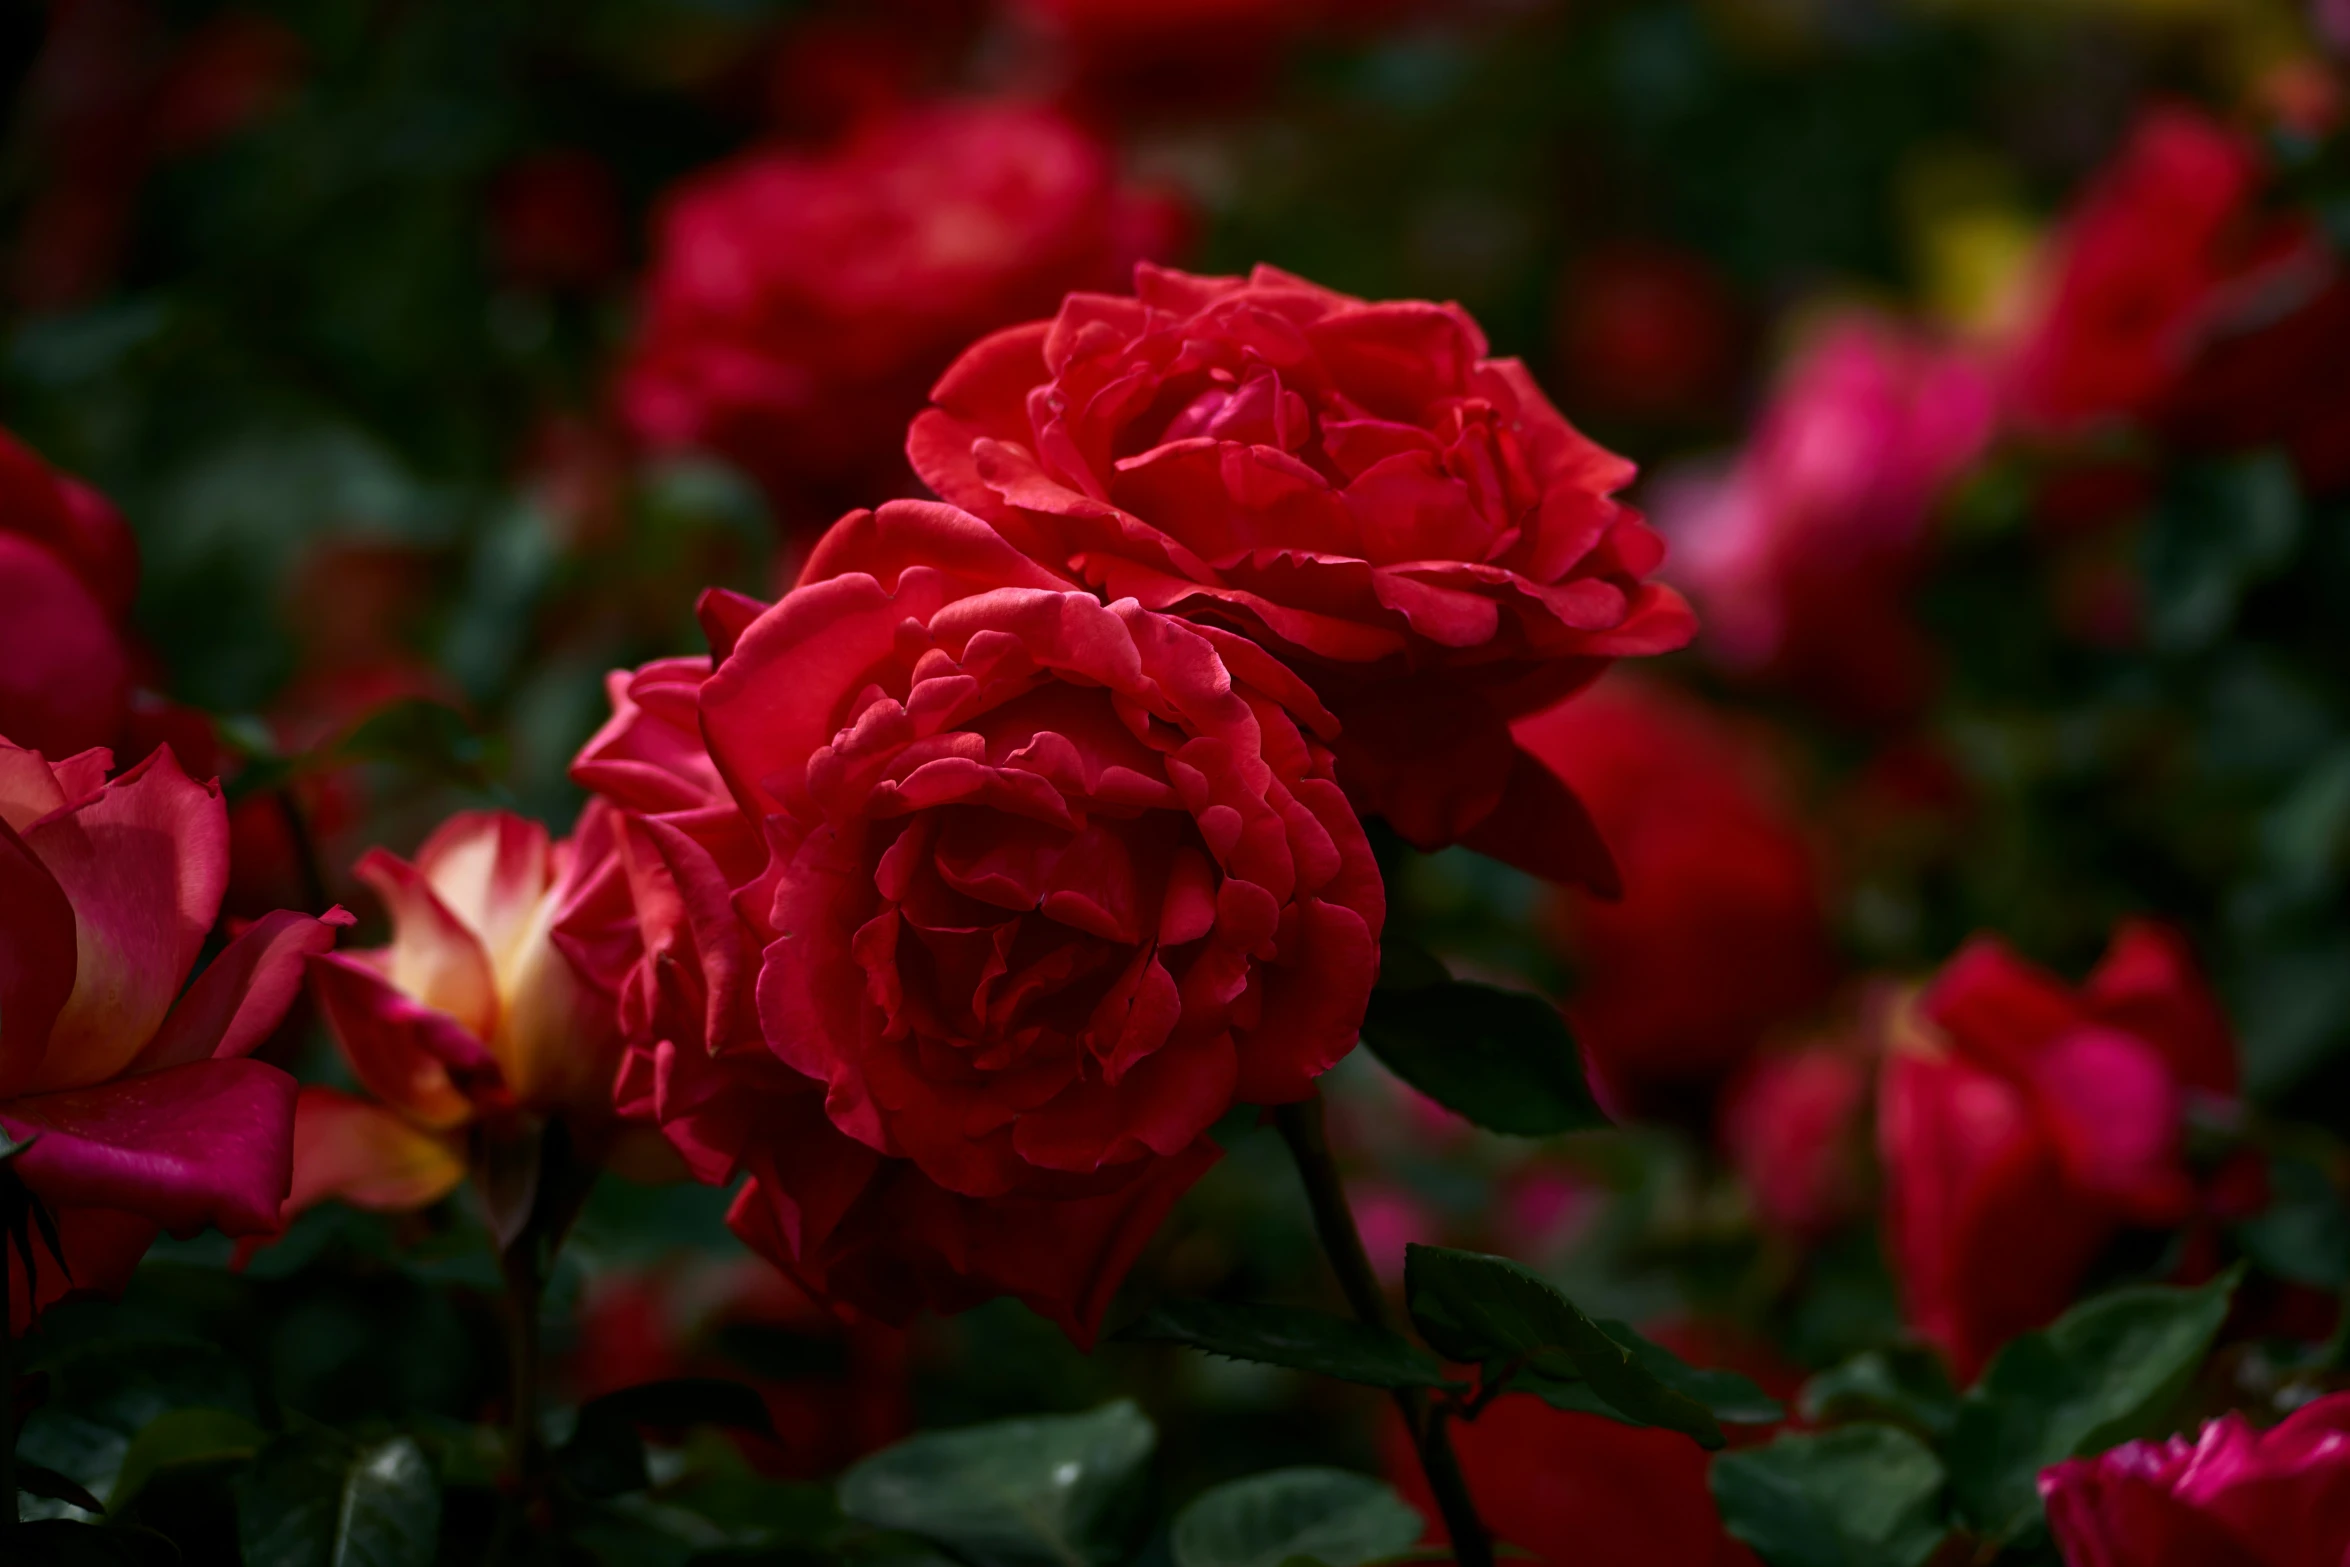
(133,1091)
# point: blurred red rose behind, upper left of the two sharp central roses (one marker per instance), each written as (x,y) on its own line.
(800,304)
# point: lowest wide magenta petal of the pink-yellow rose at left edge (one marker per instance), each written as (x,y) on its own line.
(210,1143)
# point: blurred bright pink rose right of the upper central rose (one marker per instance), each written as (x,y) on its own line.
(1804,553)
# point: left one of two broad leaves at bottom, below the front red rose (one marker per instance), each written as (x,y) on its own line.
(1059,1491)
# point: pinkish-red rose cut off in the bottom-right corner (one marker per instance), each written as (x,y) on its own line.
(2229,1498)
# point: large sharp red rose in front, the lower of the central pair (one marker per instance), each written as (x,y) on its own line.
(981,908)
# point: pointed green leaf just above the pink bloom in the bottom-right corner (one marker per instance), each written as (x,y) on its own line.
(2102,1376)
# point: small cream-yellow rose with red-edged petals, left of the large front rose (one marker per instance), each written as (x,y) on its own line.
(471,1016)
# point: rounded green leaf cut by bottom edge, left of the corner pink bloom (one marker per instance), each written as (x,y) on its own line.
(1851,1498)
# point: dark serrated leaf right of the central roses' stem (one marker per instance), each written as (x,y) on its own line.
(1493,1310)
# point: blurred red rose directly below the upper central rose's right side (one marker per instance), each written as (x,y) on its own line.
(1721,929)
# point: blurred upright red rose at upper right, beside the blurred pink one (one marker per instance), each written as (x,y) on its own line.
(2135,274)
